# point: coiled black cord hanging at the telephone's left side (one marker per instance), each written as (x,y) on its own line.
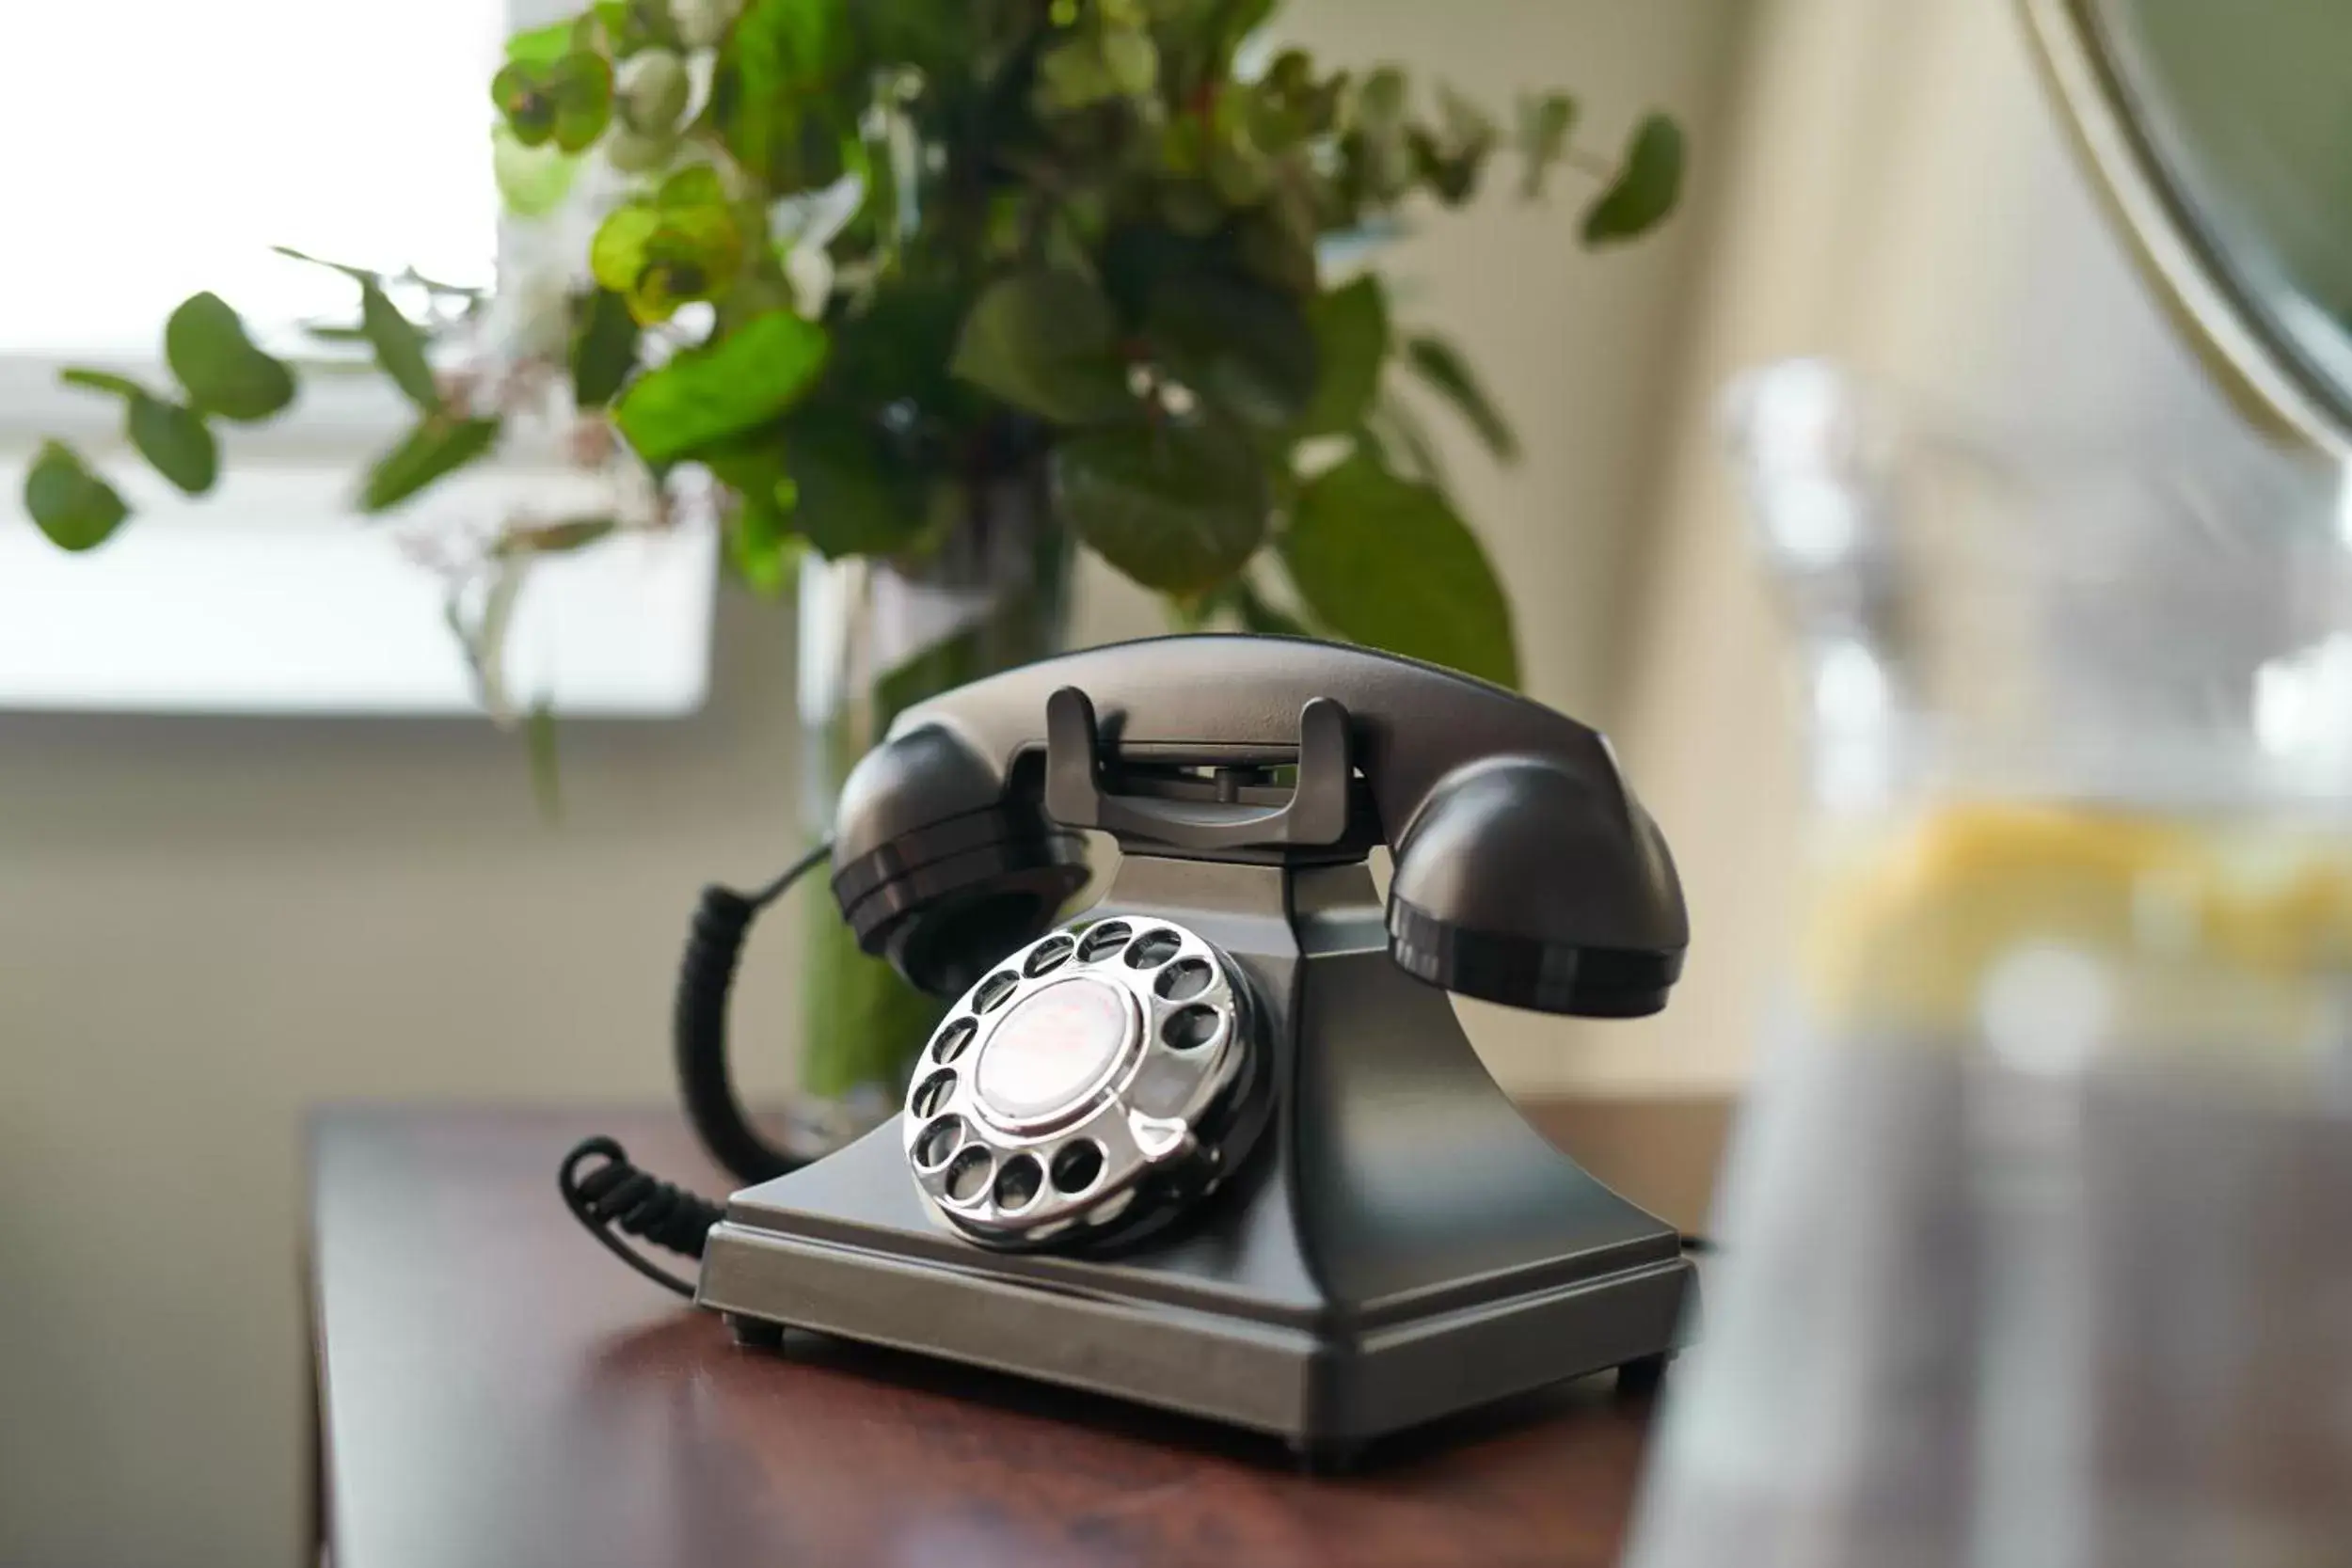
(617,1193)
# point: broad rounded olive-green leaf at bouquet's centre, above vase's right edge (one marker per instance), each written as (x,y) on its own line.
(1045,342)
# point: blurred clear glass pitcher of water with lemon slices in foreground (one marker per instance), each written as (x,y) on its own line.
(2038,1228)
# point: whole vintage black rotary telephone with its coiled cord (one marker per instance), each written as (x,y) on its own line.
(1217,1144)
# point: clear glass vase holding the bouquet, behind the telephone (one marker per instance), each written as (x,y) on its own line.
(876,638)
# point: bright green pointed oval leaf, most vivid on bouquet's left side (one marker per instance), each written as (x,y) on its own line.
(726,389)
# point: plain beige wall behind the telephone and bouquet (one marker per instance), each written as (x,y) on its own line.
(211,925)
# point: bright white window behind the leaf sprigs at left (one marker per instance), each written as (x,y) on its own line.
(182,142)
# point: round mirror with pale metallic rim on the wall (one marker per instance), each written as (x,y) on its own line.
(2224,138)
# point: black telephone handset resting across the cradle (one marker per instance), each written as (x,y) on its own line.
(1525,871)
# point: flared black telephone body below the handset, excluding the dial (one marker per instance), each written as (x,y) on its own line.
(1401,1245)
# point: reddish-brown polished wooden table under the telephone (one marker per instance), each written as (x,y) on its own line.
(497,1391)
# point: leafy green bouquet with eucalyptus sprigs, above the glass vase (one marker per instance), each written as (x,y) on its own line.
(862,257)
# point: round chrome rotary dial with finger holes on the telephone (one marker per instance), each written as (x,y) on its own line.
(1081,1083)
